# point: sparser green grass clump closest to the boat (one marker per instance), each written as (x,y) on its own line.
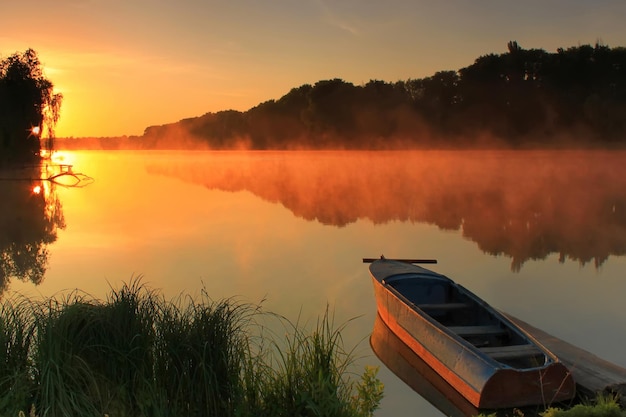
(306,375)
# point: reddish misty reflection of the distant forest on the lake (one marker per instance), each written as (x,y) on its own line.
(525,205)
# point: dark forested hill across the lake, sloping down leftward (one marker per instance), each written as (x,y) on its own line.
(521,98)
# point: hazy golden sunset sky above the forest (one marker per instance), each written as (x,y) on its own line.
(124,65)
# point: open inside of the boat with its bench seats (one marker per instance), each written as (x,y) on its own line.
(469,318)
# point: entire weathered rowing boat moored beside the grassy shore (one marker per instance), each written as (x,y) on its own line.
(482,354)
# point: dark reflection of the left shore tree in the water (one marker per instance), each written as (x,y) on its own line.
(30,215)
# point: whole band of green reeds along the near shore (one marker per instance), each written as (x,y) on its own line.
(138,354)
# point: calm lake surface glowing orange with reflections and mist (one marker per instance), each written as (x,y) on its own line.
(540,235)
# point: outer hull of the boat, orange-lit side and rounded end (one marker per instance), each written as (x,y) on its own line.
(483,381)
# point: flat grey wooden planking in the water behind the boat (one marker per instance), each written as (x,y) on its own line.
(592,374)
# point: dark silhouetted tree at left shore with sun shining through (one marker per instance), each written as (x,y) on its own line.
(29,108)
